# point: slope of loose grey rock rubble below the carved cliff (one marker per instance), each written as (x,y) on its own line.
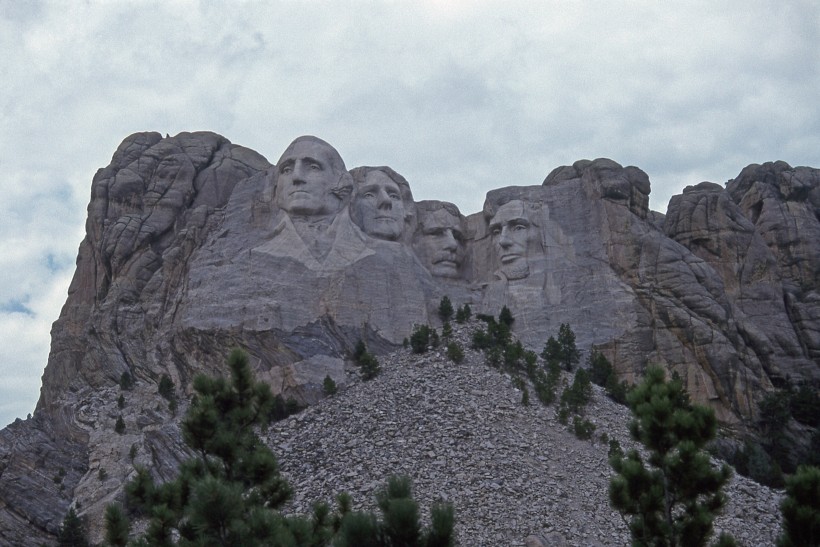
(461,433)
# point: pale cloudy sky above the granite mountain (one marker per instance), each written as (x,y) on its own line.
(458,96)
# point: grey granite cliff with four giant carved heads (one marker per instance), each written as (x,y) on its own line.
(195,245)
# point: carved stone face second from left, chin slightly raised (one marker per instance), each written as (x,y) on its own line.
(379,206)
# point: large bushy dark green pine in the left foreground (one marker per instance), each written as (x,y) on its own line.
(227,492)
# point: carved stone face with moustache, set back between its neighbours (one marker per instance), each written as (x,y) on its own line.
(439,243)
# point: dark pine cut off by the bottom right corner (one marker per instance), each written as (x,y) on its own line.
(801,509)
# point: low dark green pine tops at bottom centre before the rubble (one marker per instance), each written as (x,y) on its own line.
(400,523)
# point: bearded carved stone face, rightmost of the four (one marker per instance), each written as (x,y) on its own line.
(513,234)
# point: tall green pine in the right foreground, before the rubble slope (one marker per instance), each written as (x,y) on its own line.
(673,500)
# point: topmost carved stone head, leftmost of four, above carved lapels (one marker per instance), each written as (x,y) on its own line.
(305,179)
